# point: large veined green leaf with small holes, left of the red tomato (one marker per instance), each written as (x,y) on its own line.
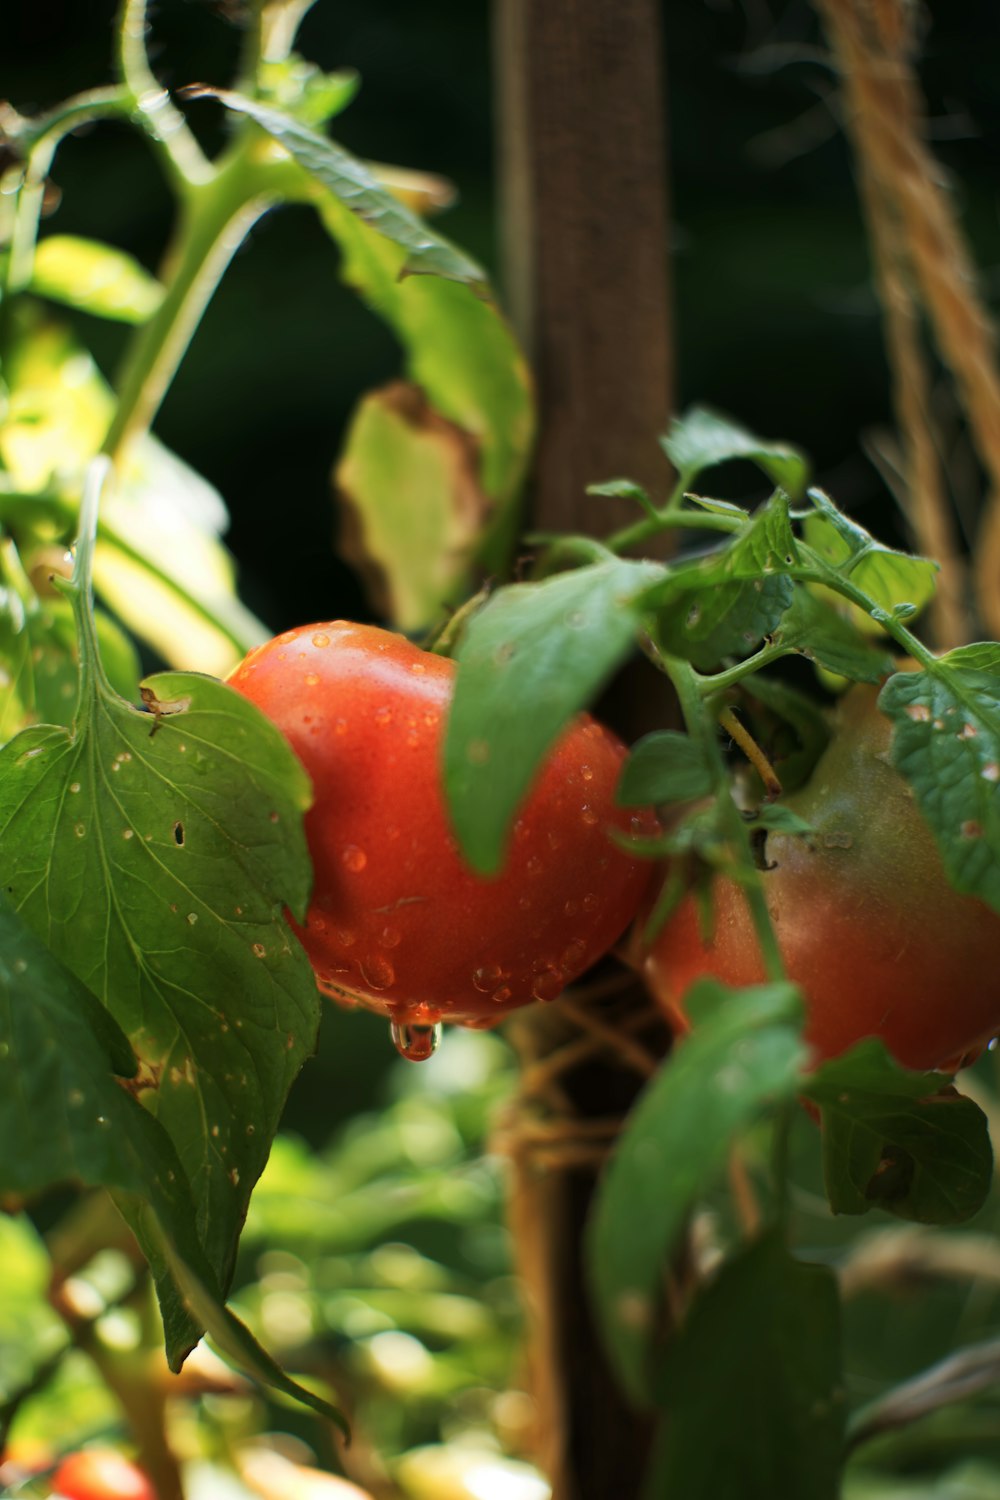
(154,854)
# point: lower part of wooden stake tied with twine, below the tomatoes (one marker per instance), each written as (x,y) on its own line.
(557,1135)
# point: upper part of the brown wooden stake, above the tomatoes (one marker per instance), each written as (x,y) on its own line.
(582,160)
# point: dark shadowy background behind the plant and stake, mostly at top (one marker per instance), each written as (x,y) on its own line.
(776,320)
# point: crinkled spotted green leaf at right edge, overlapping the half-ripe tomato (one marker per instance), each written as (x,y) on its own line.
(947,745)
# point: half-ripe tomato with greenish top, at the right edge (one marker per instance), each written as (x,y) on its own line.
(866,917)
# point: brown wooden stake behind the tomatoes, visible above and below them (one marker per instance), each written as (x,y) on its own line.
(585,256)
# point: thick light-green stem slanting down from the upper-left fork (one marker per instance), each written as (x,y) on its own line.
(215,221)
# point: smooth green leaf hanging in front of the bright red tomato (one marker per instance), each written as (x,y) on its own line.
(528,661)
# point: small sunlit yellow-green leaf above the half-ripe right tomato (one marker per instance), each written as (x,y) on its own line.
(891,578)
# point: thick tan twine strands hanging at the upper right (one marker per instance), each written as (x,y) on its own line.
(920,250)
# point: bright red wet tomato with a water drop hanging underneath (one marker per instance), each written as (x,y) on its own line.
(398,920)
